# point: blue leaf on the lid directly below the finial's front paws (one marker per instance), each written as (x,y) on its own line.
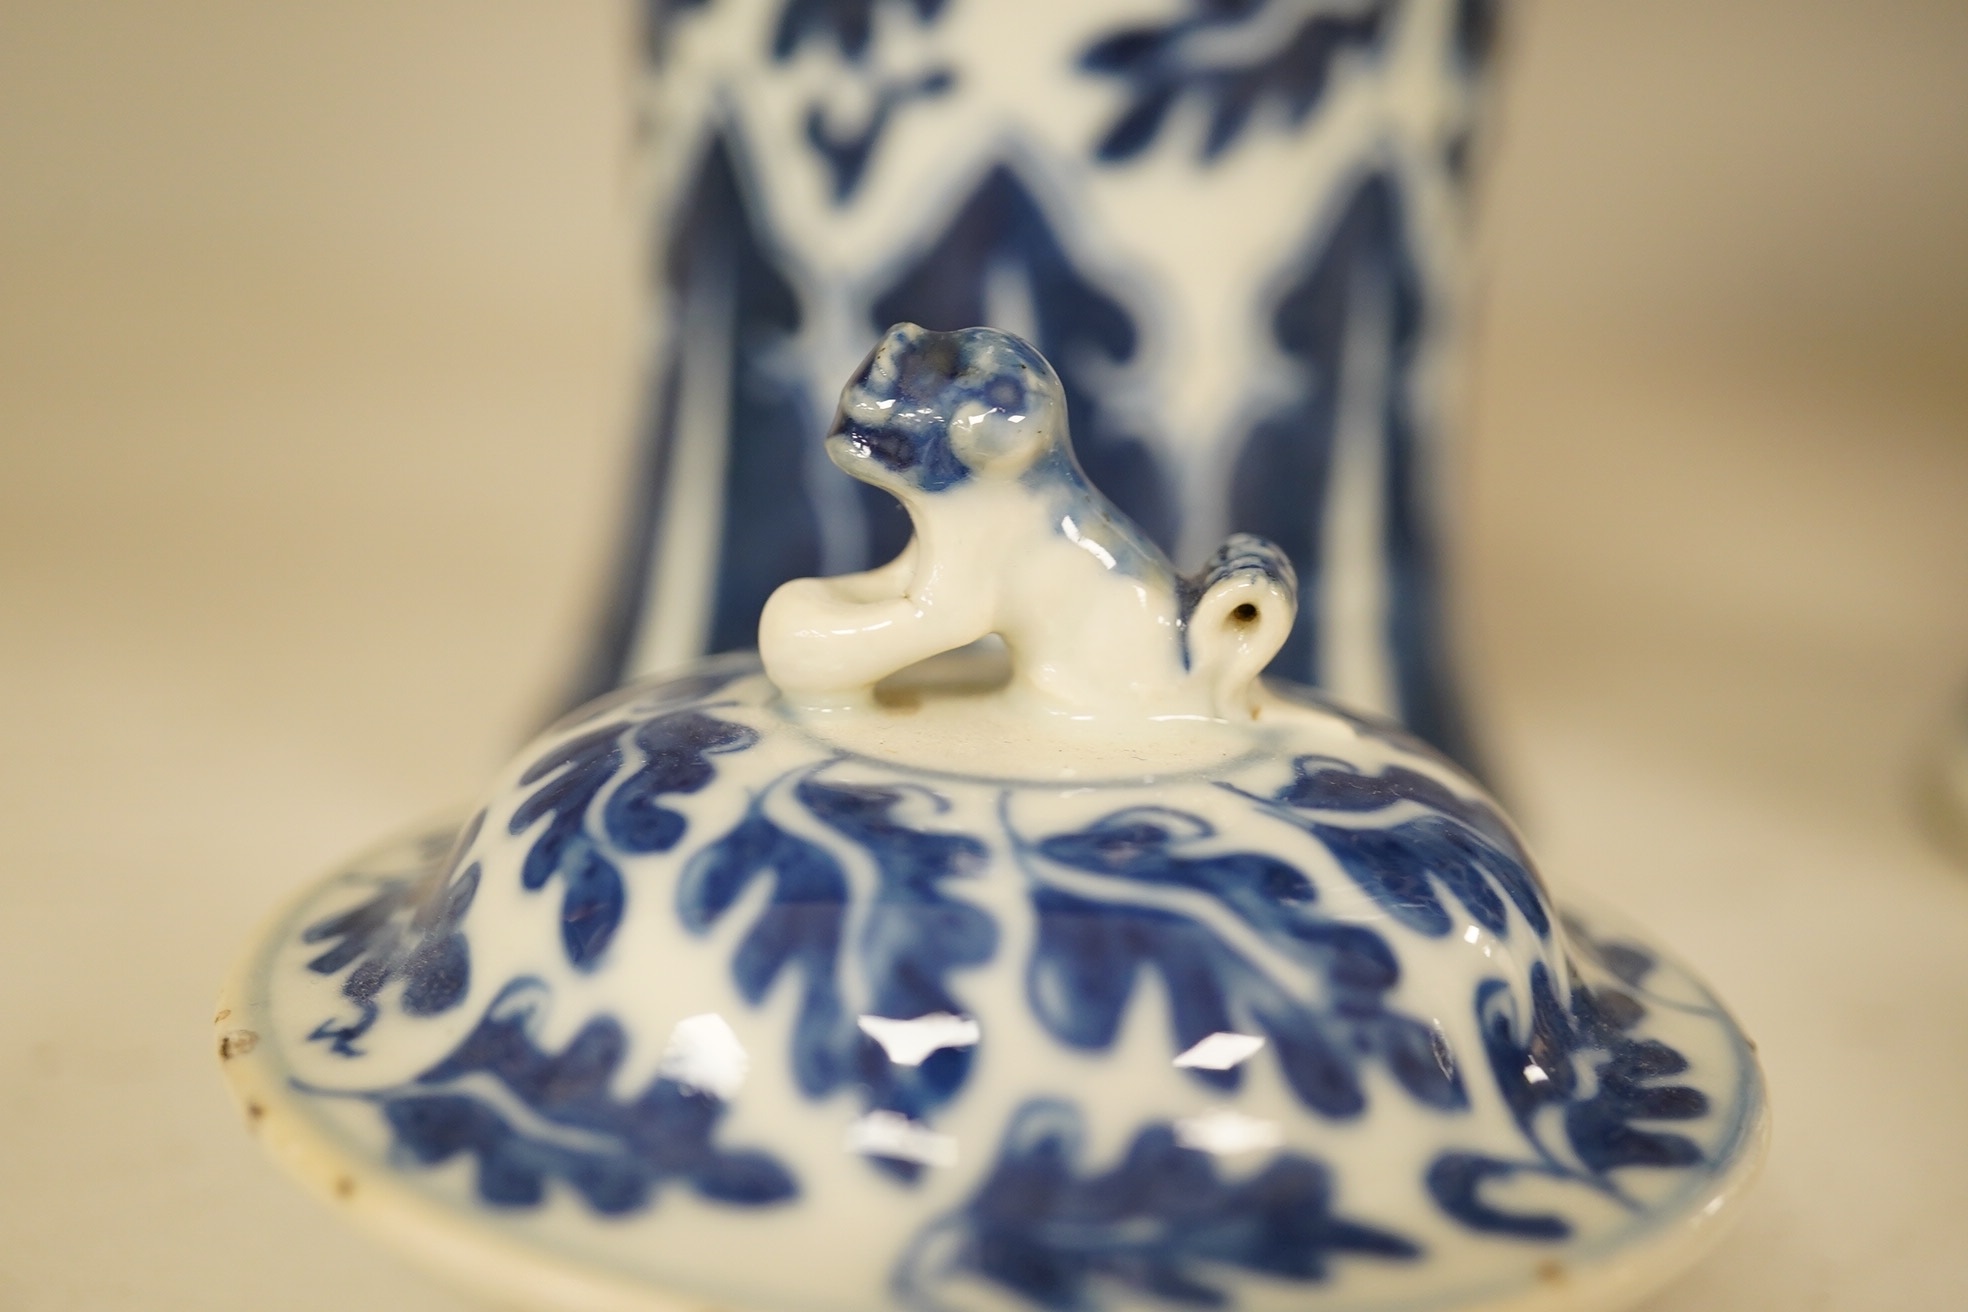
(914,937)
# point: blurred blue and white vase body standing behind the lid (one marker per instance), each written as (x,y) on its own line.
(1237,227)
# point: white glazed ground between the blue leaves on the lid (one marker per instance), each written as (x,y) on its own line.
(845,1240)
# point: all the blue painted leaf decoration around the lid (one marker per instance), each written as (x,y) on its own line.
(1237,937)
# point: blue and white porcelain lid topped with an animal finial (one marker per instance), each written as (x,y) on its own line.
(997,939)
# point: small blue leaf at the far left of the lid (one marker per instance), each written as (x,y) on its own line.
(408,929)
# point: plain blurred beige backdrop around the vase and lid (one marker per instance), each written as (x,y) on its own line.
(316,367)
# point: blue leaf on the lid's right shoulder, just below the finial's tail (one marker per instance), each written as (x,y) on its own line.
(1457,843)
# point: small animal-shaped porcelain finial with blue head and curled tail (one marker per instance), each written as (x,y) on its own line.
(969,432)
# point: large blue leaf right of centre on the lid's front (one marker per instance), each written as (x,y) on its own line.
(1093,945)
